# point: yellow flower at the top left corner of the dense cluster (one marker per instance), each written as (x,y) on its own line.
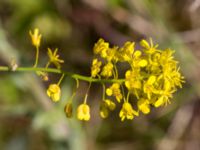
(101,48)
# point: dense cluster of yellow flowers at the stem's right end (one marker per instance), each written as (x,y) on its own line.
(151,78)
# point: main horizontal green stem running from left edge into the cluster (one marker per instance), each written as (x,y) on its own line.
(58,71)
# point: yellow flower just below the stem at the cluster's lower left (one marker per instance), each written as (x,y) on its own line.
(114,90)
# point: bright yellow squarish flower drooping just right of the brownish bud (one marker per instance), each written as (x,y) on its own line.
(83,112)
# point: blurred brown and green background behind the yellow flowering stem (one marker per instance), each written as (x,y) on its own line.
(28,118)
